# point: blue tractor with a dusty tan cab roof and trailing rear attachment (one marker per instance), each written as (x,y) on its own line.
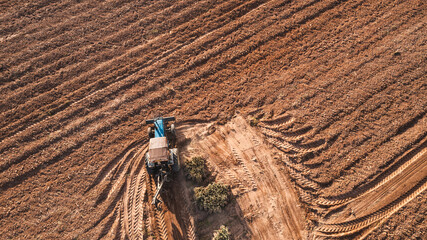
(162,157)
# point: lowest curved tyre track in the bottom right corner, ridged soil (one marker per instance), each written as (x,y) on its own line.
(345,228)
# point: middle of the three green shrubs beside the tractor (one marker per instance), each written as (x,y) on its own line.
(212,197)
